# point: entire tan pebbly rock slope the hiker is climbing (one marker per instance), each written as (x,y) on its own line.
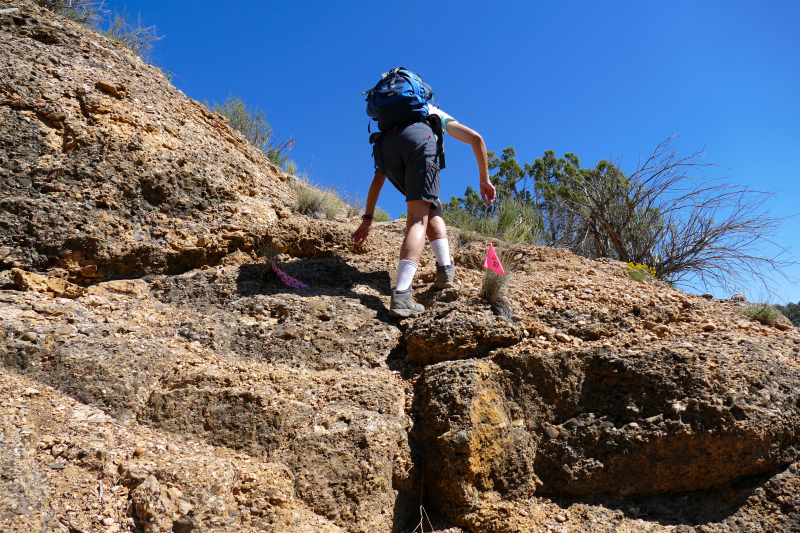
(157,377)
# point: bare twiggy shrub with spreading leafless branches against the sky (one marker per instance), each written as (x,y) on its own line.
(698,232)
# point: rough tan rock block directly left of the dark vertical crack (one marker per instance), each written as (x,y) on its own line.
(350,440)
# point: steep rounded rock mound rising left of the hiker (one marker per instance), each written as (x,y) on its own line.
(108,170)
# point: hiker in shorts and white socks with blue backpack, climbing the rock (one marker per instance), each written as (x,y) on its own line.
(408,150)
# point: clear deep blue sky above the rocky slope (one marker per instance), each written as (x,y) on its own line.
(597,78)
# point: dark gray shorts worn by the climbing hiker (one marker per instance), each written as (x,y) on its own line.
(409,157)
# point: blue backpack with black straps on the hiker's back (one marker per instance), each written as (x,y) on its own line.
(399,98)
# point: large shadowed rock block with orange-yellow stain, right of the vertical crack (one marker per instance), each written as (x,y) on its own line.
(484,399)
